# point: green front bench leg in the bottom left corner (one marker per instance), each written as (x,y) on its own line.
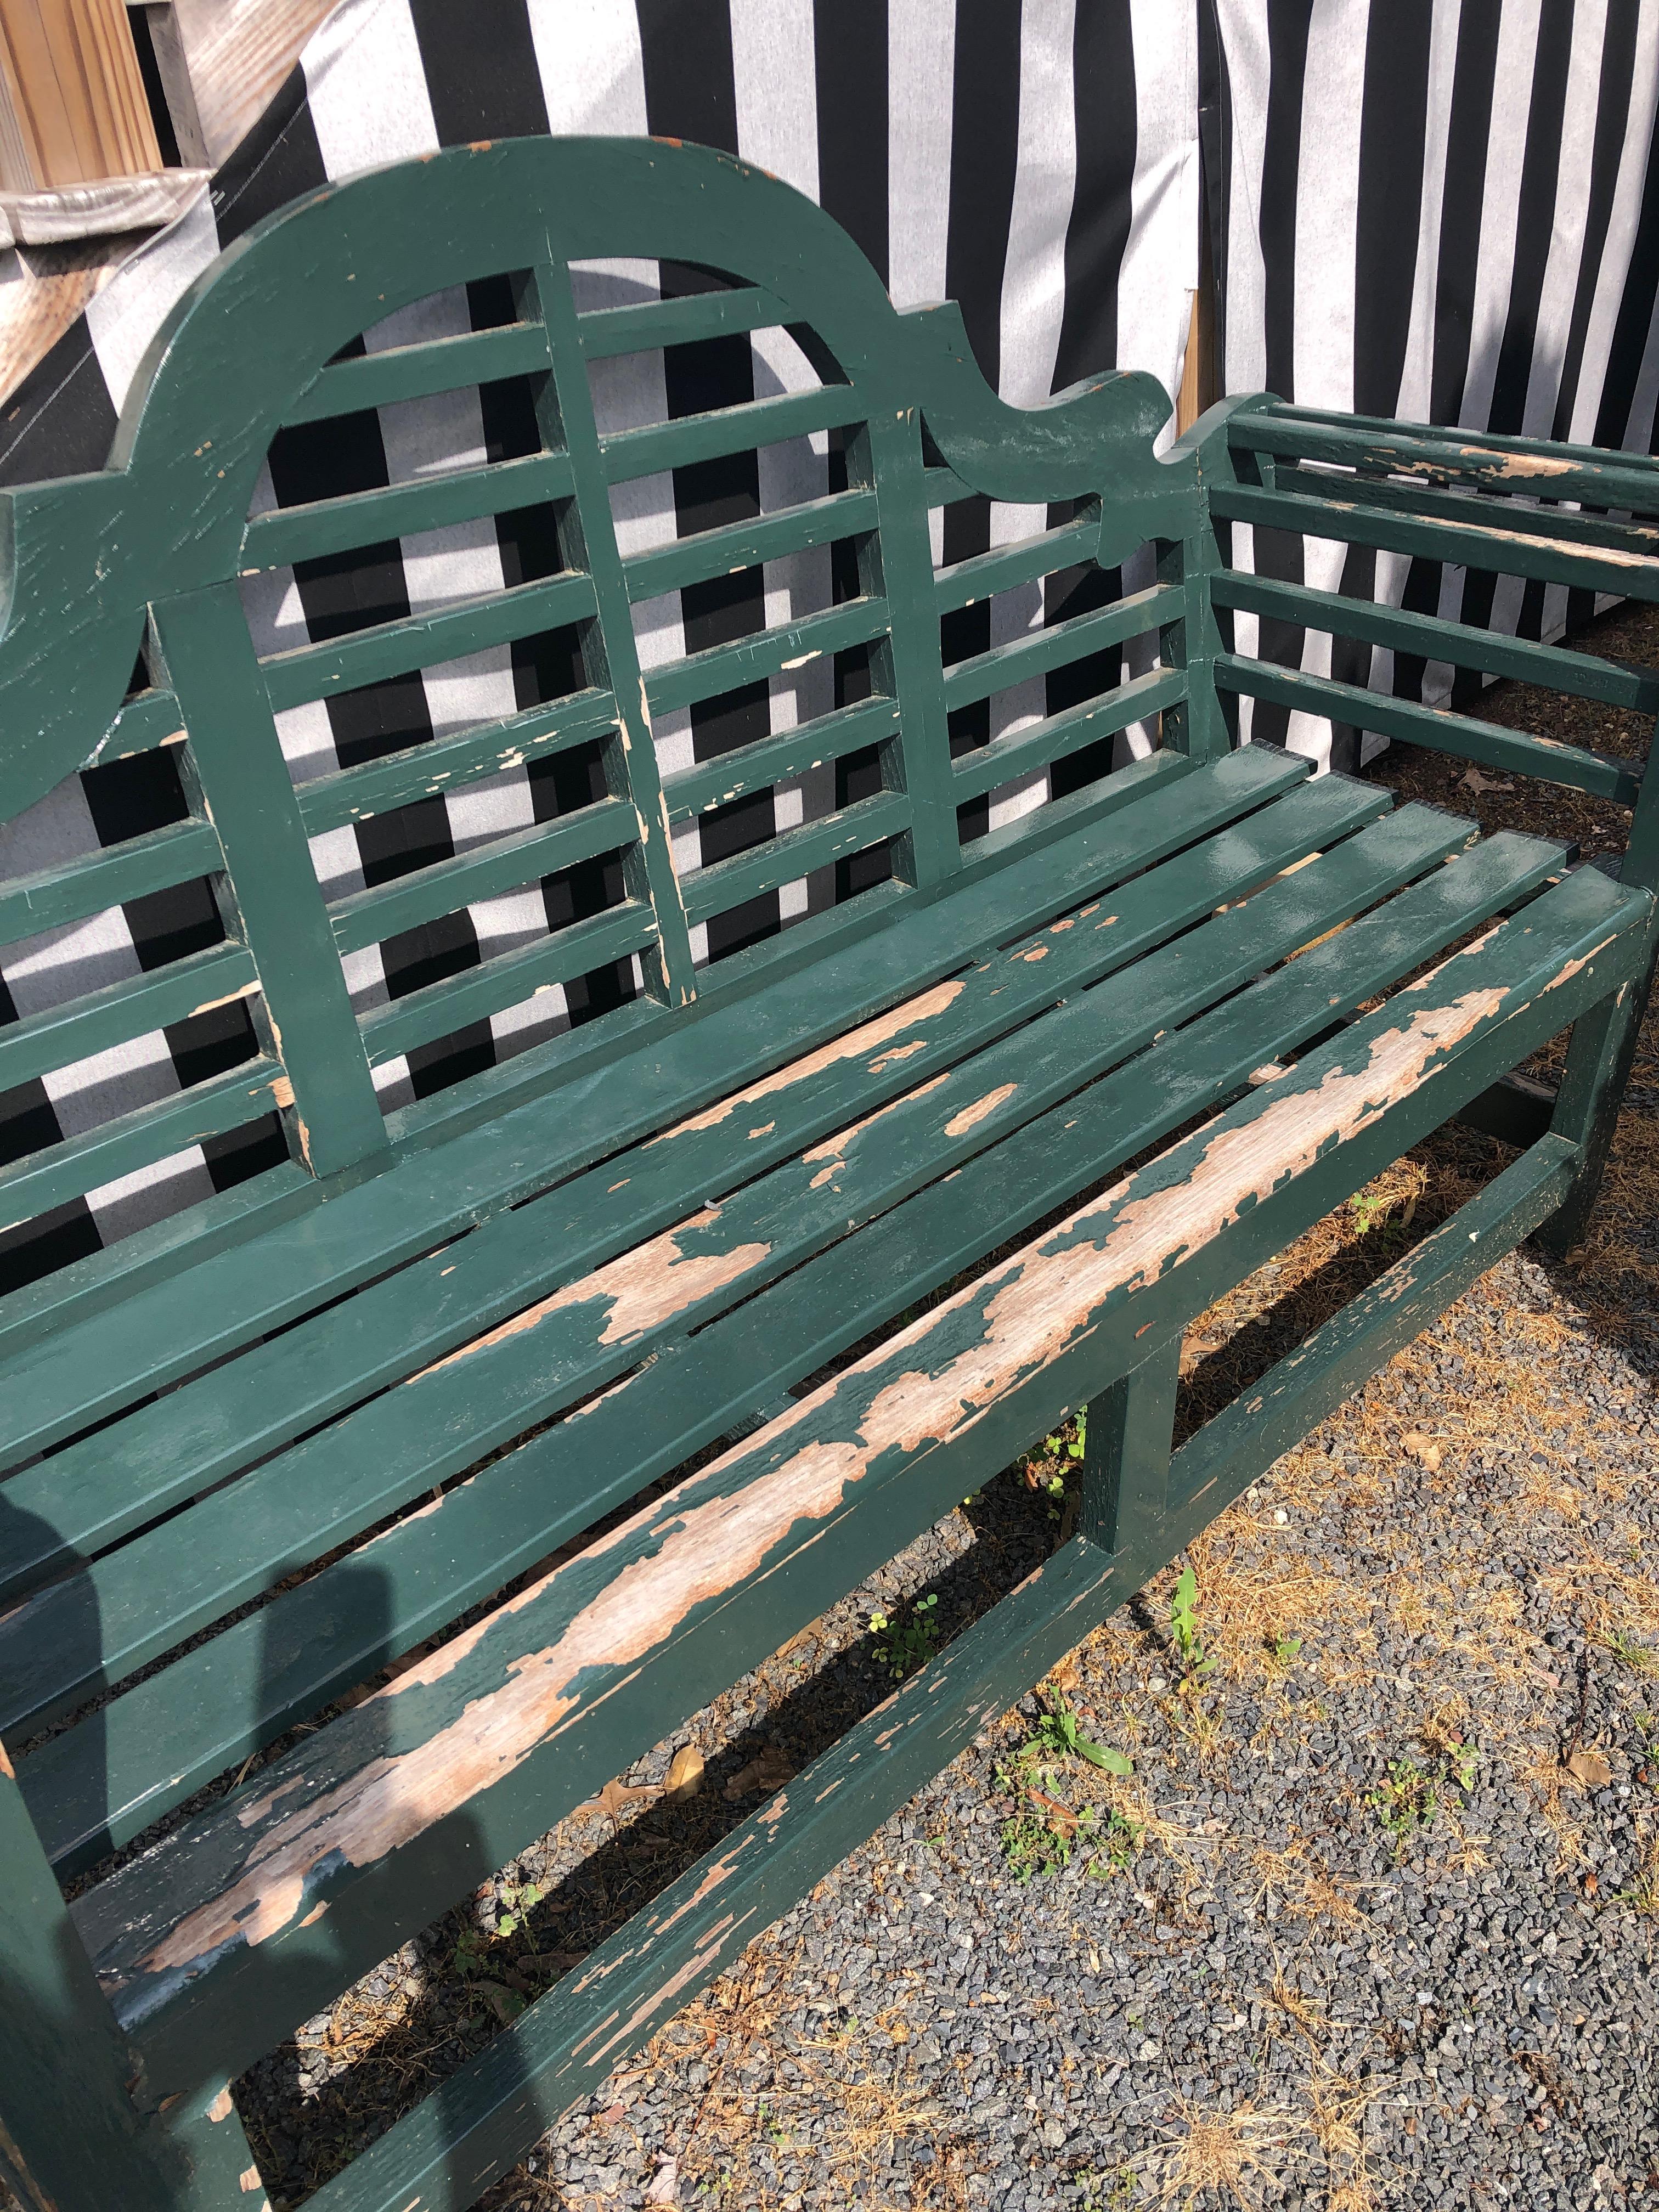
(72,2131)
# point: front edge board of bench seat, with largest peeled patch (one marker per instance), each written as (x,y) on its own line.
(468,1755)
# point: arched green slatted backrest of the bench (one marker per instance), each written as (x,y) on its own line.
(539,691)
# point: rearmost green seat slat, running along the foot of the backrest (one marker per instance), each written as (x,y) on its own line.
(92,1370)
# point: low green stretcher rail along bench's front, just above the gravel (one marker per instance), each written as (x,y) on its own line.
(574,2036)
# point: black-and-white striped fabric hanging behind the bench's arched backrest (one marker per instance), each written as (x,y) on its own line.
(1034,160)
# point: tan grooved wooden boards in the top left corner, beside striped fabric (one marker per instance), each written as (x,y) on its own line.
(72,96)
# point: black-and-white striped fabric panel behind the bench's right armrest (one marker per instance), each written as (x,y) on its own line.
(1446,213)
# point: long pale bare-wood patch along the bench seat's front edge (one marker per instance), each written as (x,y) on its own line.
(696,1545)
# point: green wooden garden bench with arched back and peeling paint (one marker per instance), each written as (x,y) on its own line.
(1253,985)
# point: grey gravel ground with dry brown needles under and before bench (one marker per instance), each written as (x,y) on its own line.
(1373,1919)
